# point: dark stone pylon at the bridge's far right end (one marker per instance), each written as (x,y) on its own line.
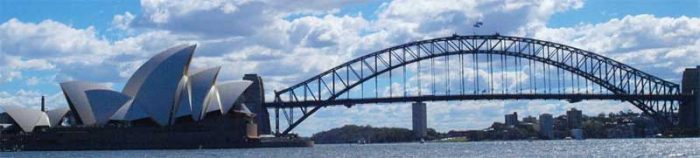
(689,112)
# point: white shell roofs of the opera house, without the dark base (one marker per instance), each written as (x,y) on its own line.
(161,90)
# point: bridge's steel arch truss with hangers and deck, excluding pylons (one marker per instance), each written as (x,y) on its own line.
(652,95)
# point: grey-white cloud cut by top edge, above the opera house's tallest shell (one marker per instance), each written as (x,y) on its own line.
(205,18)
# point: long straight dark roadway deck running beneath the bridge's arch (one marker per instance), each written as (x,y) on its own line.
(425,98)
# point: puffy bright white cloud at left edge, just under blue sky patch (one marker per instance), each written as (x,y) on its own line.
(49,39)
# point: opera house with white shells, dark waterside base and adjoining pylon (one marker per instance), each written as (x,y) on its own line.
(163,105)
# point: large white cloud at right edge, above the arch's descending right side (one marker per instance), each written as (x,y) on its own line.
(659,45)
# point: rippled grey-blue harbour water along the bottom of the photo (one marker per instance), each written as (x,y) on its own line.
(680,147)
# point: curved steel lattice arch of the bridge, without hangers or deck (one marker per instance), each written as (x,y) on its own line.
(620,79)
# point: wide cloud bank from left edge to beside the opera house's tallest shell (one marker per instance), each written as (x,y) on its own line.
(73,53)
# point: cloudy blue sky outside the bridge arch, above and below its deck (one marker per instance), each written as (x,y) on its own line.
(45,42)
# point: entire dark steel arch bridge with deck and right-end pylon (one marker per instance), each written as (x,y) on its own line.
(487,67)
